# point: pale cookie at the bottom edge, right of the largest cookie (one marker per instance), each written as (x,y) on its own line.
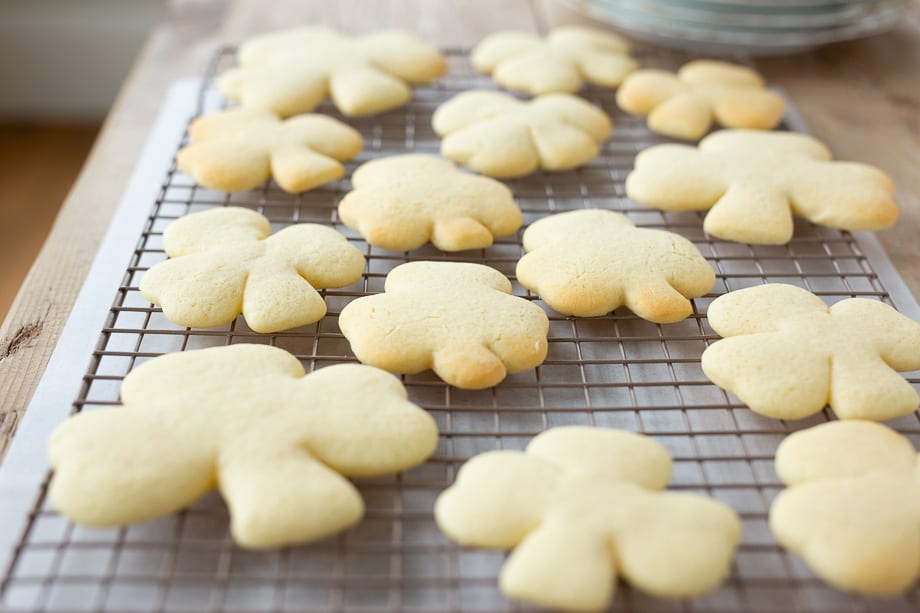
(581,506)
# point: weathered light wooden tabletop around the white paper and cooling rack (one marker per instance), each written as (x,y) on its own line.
(861,98)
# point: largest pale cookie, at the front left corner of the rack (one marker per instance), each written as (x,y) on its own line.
(244,419)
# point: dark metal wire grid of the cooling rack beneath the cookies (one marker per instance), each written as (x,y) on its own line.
(612,371)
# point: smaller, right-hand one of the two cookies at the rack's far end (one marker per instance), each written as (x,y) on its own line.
(562,62)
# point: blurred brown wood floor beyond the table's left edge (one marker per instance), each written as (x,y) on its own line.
(38,164)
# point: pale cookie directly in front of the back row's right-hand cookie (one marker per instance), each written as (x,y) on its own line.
(498,135)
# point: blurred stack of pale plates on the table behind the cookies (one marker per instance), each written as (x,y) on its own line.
(755,27)
